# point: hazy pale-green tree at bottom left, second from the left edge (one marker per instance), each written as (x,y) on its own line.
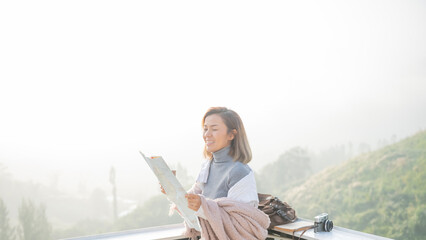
(33,222)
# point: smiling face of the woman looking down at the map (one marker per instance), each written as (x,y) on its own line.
(216,134)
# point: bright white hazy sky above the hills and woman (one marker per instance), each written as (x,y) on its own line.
(86,84)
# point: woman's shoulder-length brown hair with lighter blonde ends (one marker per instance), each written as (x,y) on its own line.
(240,148)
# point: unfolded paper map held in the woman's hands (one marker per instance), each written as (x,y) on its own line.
(175,191)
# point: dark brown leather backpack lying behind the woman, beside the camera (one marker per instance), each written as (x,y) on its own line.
(279,212)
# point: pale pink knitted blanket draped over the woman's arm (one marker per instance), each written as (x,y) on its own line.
(229,219)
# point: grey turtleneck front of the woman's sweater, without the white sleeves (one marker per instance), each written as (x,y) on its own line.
(224,172)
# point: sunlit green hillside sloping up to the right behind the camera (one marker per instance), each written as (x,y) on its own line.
(382,192)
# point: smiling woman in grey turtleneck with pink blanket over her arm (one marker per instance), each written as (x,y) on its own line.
(224,196)
